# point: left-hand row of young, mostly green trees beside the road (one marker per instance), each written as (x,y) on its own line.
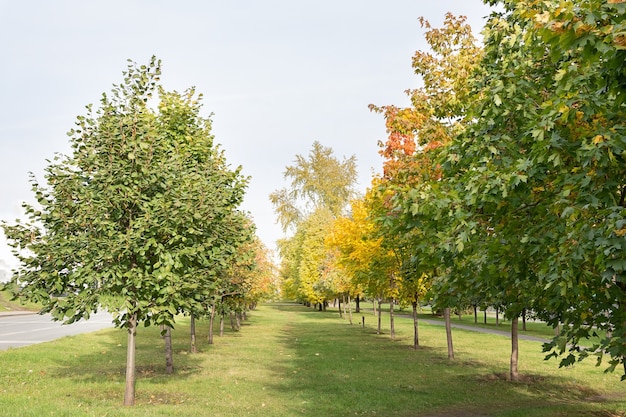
(141,219)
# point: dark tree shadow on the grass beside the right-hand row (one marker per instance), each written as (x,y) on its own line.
(338,369)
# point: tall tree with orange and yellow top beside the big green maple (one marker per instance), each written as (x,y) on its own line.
(417,136)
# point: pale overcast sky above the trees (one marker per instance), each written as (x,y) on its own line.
(278,75)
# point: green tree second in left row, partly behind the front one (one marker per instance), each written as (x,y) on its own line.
(216,226)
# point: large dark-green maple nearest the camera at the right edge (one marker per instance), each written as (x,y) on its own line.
(542,169)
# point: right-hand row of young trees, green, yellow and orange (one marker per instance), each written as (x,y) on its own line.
(504,181)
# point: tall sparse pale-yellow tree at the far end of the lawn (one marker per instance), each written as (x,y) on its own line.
(321,188)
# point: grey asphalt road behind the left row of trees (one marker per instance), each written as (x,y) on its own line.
(27,329)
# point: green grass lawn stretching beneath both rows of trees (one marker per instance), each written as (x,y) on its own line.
(289,360)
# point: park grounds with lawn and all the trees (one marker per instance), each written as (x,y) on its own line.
(502,192)
